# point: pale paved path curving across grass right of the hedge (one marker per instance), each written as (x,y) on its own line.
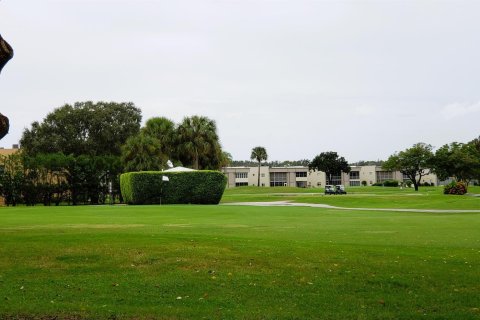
(326,206)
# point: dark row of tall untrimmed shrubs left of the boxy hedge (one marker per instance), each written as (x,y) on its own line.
(56,178)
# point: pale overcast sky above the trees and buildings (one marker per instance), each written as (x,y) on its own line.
(363,78)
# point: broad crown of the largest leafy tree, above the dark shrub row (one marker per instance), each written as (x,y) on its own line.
(85,128)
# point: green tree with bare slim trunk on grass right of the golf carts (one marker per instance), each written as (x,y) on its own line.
(413,162)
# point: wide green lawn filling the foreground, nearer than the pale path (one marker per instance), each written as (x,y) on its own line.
(232,262)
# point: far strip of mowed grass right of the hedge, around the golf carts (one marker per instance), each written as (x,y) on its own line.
(360,197)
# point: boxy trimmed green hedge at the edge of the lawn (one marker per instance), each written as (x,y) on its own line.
(196,187)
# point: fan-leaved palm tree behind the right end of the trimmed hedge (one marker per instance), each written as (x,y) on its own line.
(197,140)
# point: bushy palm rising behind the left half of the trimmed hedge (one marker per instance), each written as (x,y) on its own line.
(143,153)
